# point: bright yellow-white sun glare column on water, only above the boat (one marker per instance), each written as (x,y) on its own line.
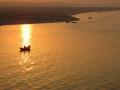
(26,34)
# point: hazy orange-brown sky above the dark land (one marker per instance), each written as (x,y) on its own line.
(62,2)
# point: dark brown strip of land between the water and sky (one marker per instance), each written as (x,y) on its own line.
(32,15)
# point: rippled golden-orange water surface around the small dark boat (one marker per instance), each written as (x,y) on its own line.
(63,56)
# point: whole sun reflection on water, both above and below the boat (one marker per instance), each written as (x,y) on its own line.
(25,61)
